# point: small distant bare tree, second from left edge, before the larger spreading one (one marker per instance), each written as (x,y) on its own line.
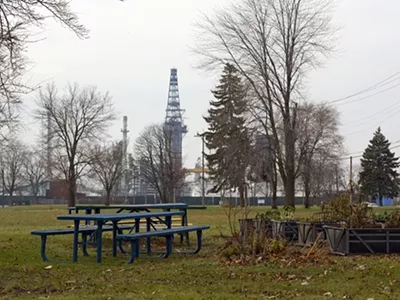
(35,171)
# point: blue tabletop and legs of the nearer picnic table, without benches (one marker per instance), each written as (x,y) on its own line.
(101,219)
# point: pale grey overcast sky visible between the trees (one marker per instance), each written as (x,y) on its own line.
(133,45)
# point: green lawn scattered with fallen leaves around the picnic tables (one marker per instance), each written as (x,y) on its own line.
(204,276)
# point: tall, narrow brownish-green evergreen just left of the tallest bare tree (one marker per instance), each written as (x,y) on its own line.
(227,136)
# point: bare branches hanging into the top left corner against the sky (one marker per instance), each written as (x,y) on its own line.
(16,21)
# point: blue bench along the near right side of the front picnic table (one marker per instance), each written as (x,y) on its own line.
(134,238)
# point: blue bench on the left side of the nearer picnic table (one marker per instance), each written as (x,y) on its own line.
(85,231)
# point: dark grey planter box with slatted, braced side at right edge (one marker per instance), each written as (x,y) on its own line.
(346,241)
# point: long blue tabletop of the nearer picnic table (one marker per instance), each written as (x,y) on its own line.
(120,216)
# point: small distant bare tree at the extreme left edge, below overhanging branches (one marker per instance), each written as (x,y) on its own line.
(13,156)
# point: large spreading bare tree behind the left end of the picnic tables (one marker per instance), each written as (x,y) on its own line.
(79,117)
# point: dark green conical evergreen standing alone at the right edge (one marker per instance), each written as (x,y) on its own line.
(378,176)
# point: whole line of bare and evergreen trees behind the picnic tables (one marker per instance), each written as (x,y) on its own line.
(261,127)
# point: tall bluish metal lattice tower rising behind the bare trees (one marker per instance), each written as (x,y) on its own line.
(173,119)
